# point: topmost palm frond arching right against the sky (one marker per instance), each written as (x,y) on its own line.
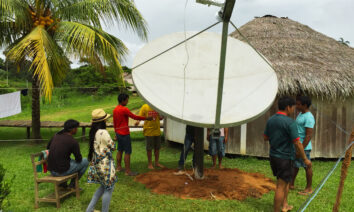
(122,12)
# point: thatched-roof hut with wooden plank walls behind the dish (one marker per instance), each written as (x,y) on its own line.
(306,62)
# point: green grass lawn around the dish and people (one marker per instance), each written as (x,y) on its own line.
(133,196)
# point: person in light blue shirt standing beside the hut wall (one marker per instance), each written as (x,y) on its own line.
(305,124)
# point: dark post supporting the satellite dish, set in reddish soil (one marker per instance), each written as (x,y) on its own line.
(199,153)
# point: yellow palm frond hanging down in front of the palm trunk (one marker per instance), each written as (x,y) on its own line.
(45,55)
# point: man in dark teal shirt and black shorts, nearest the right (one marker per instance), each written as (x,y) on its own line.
(281,131)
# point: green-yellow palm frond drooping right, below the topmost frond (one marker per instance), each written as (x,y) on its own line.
(88,42)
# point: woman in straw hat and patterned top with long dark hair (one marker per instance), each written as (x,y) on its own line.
(102,169)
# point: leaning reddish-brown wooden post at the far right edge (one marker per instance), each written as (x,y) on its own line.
(344,172)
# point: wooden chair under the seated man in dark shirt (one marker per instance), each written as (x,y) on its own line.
(58,193)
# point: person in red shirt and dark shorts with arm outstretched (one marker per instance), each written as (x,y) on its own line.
(121,115)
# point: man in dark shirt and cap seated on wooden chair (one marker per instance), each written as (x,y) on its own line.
(61,146)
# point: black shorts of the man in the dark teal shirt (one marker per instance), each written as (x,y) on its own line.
(282,168)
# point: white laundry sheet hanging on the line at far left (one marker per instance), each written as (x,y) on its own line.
(10,104)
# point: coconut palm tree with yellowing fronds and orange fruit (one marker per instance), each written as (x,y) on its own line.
(46,33)
